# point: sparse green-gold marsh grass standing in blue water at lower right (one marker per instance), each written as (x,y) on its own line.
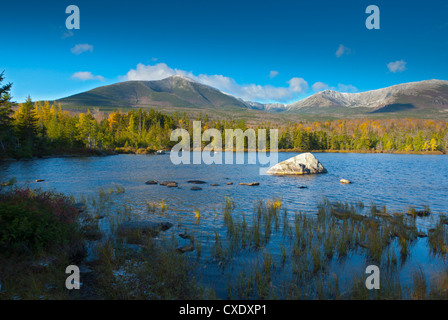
(318,244)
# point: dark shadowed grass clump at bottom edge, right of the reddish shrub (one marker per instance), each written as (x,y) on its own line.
(156,272)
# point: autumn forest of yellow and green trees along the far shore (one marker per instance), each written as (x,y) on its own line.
(35,129)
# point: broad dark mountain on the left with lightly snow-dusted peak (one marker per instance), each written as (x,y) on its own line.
(176,91)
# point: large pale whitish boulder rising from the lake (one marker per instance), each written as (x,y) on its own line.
(304,163)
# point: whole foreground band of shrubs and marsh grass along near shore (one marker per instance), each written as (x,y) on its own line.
(308,262)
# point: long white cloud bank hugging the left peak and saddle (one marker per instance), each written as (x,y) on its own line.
(264,93)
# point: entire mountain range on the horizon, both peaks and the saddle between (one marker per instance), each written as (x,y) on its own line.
(178,93)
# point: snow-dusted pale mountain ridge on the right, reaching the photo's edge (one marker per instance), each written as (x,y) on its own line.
(417,97)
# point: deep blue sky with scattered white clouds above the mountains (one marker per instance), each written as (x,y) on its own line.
(264,51)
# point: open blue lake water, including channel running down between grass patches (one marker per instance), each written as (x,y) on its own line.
(396,181)
